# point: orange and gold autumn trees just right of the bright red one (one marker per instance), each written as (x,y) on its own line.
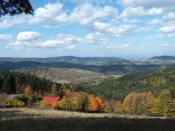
(77,101)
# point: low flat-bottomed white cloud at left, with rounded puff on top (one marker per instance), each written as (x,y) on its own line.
(33,39)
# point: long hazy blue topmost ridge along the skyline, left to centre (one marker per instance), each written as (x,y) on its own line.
(67,59)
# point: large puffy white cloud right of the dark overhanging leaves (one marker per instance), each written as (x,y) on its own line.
(53,14)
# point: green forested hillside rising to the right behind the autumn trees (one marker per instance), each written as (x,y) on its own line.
(155,81)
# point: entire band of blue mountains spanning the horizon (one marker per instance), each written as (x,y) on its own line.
(106,65)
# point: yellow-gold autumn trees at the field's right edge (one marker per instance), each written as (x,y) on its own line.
(145,103)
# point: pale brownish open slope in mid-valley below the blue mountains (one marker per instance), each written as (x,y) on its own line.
(63,74)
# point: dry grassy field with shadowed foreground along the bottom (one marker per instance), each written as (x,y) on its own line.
(49,120)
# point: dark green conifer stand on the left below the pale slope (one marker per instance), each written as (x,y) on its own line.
(15,83)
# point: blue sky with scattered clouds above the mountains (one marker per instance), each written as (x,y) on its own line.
(132,29)
